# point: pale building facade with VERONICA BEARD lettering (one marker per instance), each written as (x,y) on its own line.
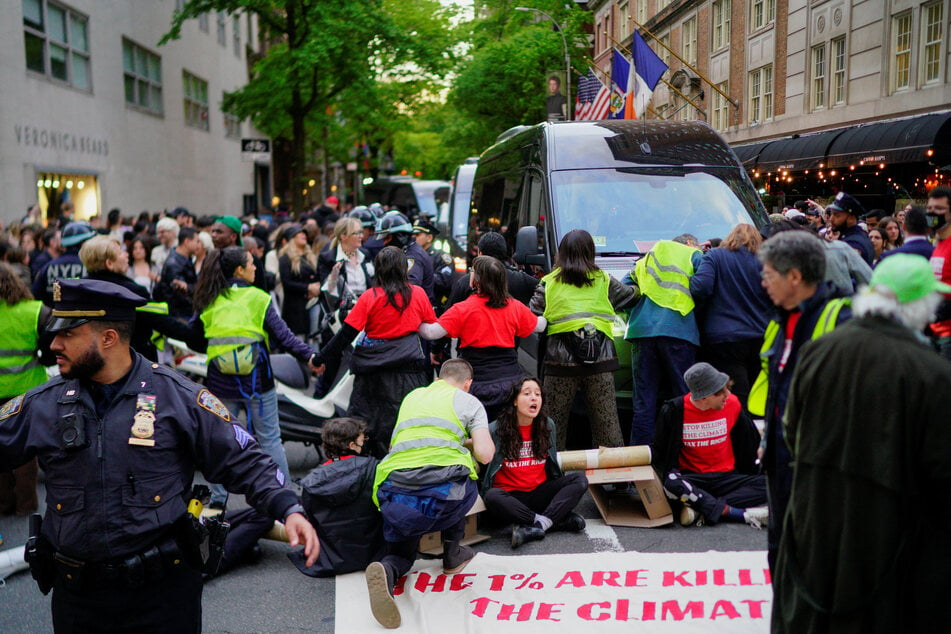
(96,112)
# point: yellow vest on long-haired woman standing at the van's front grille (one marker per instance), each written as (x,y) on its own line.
(569,308)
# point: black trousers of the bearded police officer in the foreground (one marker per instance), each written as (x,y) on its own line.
(171,604)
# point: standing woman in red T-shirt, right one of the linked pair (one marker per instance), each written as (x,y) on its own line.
(487,325)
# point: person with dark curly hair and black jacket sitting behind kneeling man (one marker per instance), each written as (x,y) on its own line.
(338,500)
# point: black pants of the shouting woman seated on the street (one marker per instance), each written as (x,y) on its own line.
(554,499)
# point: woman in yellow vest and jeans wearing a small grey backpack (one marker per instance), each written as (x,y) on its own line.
(239,321)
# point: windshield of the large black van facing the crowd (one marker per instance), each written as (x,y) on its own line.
(627,211)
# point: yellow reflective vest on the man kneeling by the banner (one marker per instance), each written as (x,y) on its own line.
(428,433)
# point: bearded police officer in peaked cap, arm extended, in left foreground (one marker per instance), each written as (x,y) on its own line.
(119,439)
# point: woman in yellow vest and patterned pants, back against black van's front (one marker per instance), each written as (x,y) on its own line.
(579,300)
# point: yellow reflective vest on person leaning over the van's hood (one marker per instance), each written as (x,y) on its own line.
(664,275)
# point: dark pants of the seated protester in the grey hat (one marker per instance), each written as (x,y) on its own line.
(710,492)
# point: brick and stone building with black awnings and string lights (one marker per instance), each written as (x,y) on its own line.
(819,95)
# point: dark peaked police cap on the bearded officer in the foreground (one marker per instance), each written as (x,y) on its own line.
(76,302)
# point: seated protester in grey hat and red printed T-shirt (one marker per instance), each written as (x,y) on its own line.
(705,450)
